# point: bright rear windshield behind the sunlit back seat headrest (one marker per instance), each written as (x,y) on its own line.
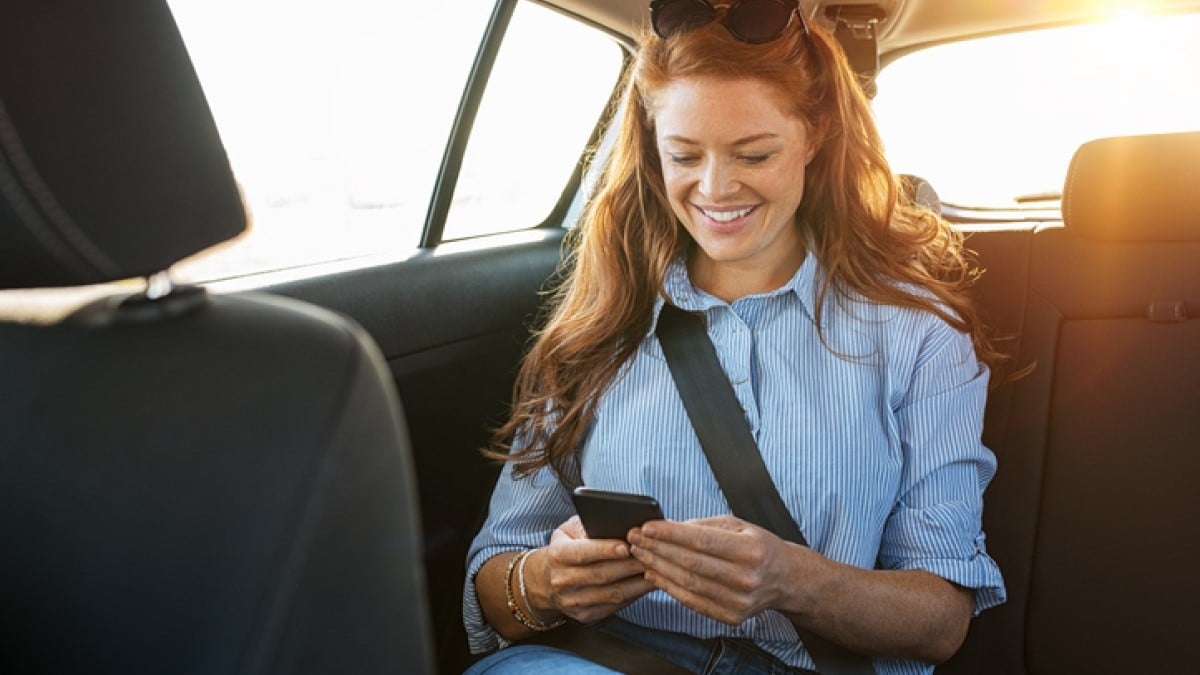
(993,123)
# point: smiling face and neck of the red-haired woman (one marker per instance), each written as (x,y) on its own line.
(734,162)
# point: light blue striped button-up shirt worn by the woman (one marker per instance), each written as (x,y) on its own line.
(877,456)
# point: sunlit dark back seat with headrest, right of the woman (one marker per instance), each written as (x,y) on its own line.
(1091,512)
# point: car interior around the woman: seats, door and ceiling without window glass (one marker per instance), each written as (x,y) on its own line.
(281,471)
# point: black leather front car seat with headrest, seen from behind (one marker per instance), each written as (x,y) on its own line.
(189,482)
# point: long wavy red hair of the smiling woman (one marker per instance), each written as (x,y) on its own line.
(872,241)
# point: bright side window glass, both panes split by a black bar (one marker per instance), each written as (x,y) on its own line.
(337,118)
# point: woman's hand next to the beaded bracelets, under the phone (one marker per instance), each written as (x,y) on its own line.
(585,580)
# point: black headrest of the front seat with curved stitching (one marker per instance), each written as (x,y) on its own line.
(111,165)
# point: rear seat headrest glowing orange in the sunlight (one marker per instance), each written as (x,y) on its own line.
(1136,189)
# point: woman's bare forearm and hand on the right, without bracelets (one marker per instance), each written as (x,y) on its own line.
(730,571)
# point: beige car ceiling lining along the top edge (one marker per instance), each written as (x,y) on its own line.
(914,23)
